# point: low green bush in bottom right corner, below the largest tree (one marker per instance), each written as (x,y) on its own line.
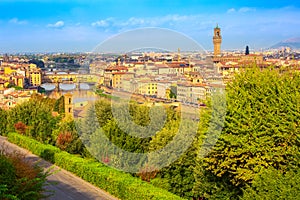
(273,184)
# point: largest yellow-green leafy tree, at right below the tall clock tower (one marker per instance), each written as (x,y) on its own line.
(261,127)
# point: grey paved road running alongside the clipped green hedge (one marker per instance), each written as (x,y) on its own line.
(67,186)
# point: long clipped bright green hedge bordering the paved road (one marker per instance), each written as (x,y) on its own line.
(117,183)
